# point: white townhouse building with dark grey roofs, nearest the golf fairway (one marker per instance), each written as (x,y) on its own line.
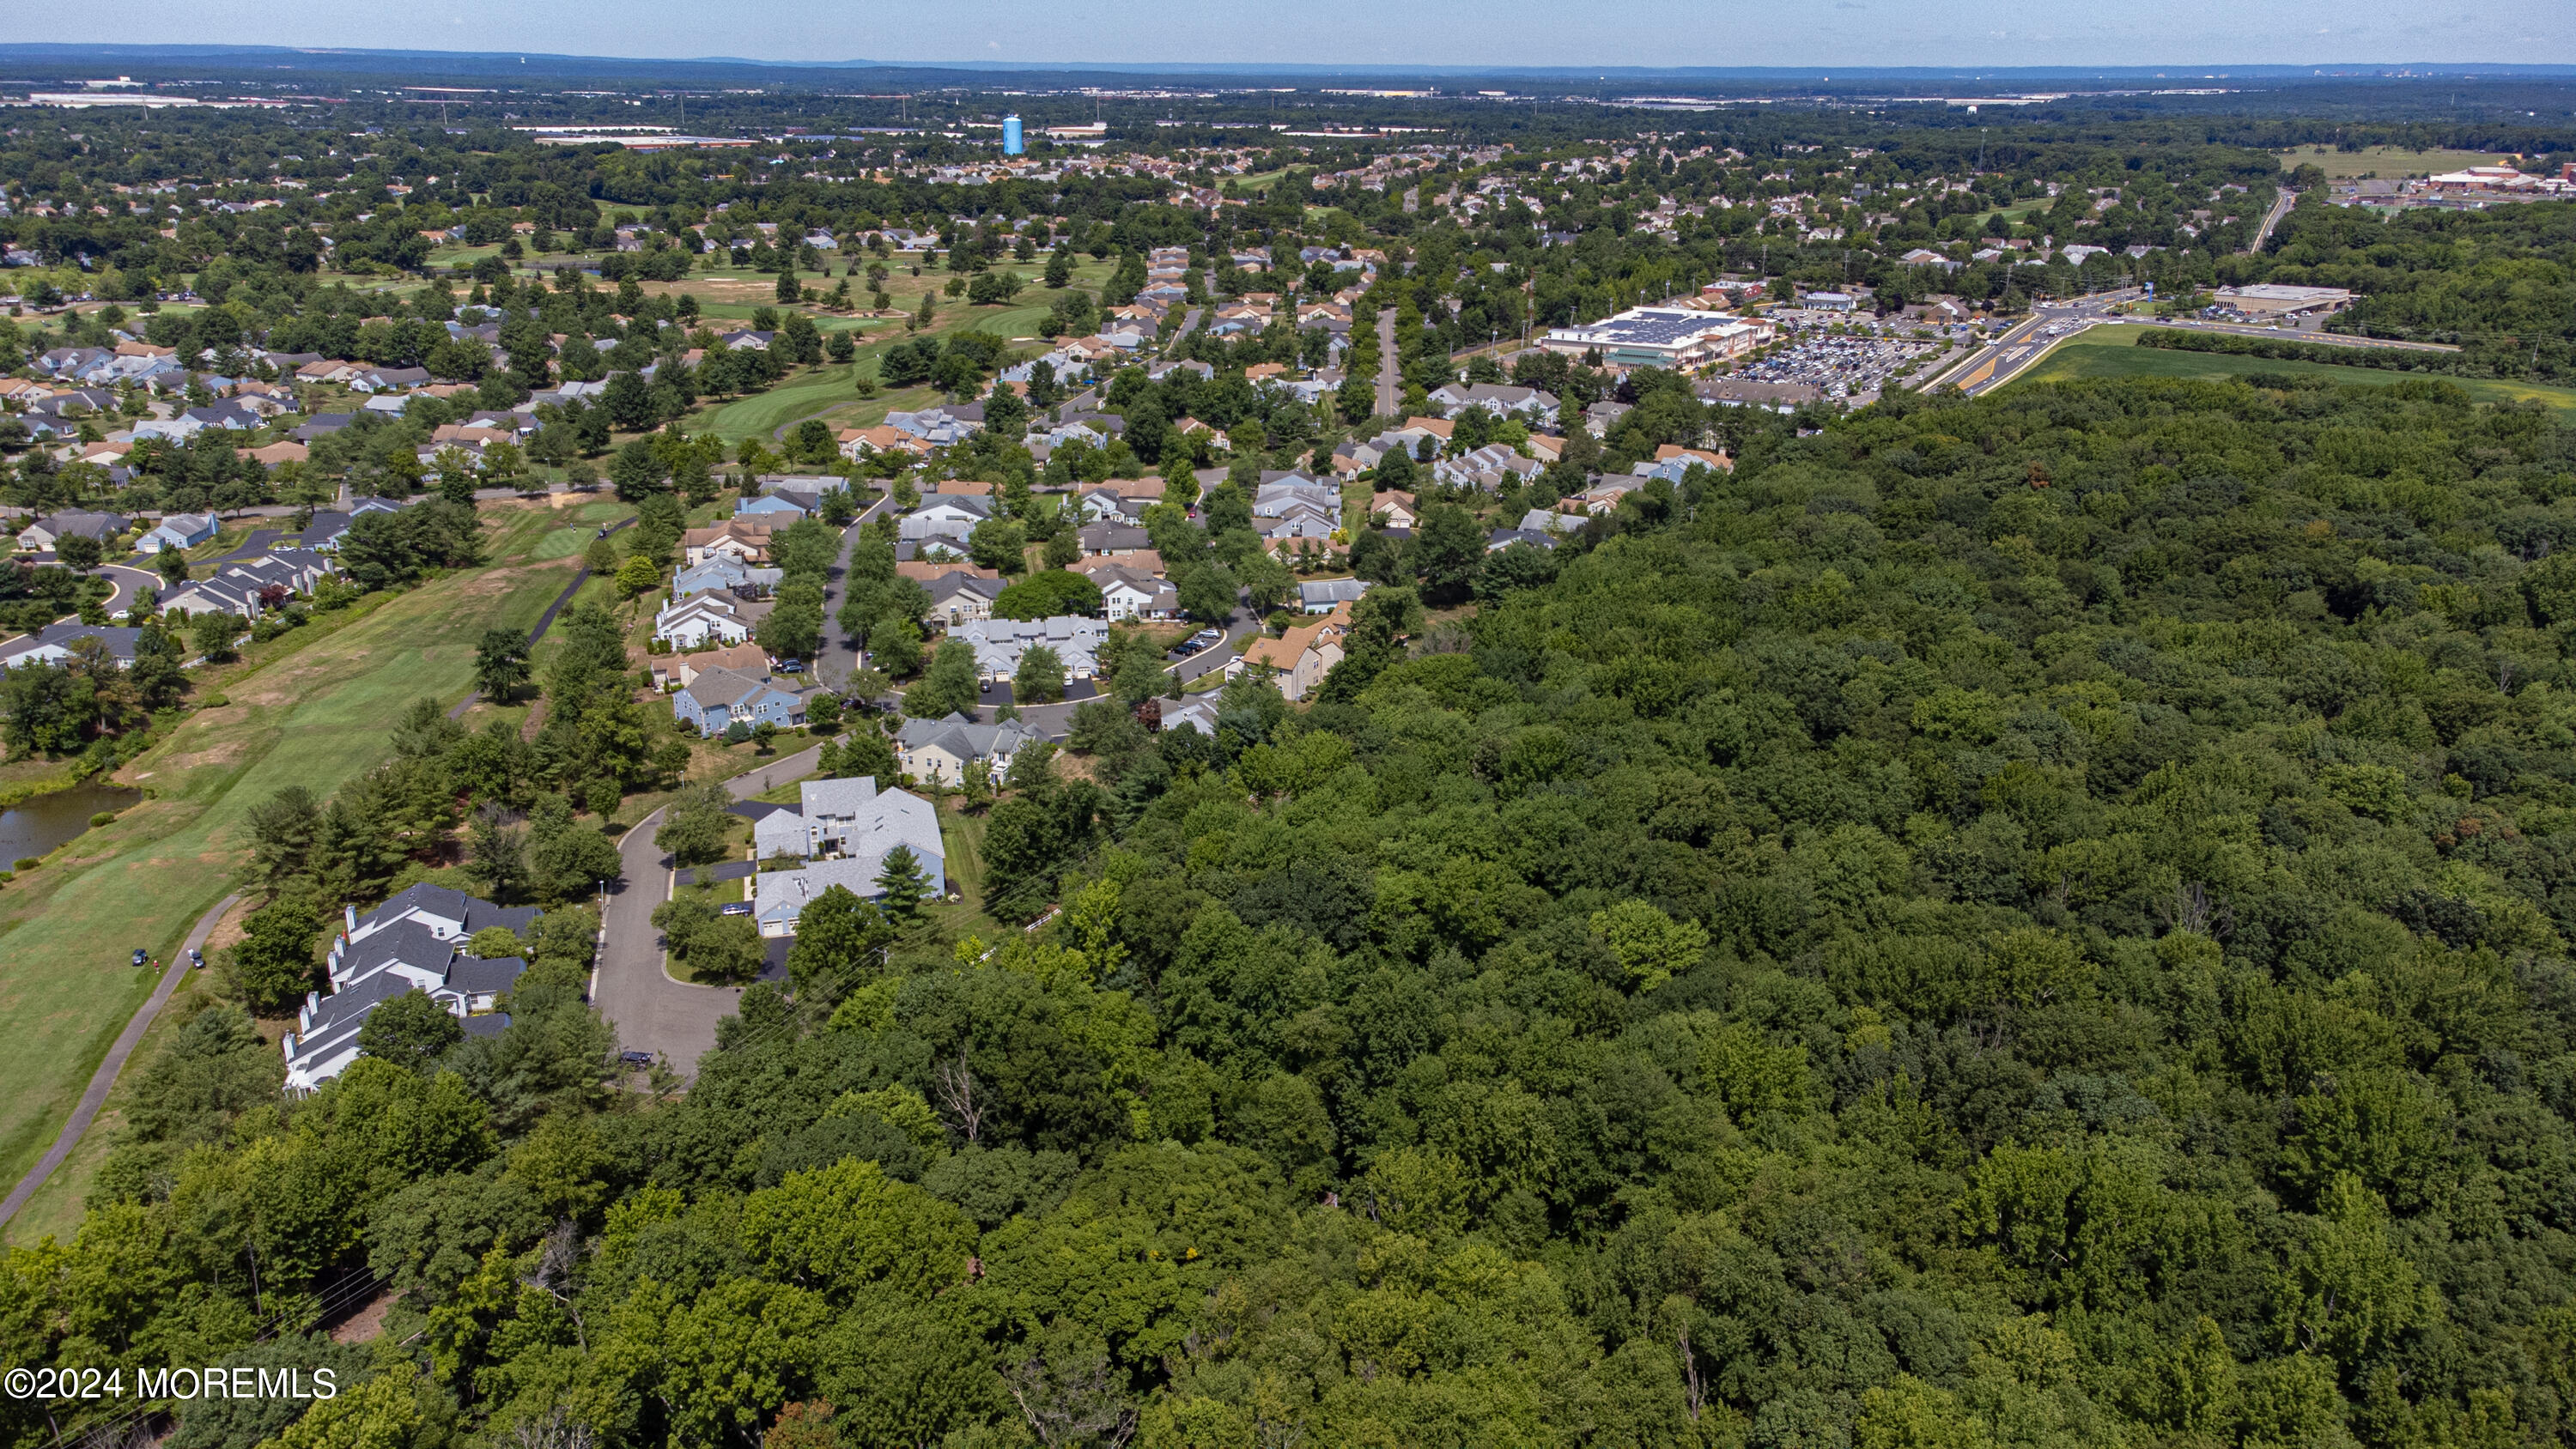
(411,943)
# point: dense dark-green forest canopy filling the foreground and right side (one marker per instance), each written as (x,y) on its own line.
(2031,920)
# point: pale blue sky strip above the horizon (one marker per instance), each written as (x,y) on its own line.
(1379,32)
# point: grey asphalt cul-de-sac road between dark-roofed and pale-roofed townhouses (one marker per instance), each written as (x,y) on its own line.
(650,1010)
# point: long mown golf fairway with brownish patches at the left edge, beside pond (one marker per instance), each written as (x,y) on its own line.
(313,714)
